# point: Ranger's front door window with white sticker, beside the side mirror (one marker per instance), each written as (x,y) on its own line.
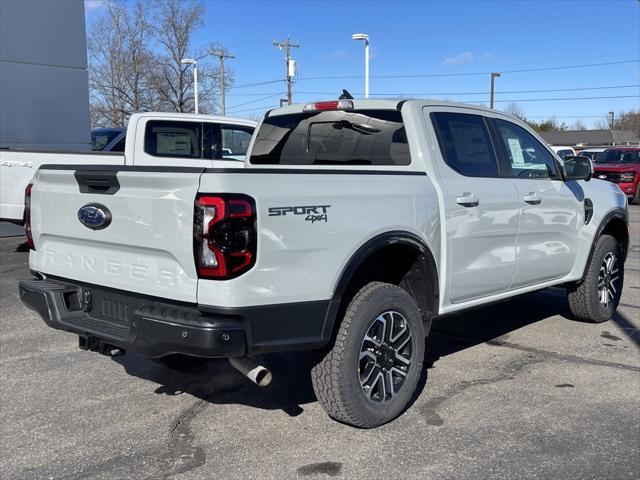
(526,156)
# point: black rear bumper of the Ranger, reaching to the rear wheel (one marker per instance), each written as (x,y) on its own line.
(157,327)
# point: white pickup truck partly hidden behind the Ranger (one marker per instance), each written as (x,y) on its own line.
(163,139)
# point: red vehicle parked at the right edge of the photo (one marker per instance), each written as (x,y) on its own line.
(620,165)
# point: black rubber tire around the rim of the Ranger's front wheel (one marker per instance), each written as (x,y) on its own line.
(584,300)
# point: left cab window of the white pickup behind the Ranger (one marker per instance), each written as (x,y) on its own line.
(164,138)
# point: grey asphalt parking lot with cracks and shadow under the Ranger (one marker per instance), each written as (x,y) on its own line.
(516,390)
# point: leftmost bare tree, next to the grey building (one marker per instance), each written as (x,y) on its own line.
(119,62)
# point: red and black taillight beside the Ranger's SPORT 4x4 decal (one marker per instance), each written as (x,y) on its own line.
(224,235)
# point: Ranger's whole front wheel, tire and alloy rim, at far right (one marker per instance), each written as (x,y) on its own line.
(596,298)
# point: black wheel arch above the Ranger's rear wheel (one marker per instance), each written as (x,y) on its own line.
(397,257)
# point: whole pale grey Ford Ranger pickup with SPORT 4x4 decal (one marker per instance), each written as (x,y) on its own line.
(354,224)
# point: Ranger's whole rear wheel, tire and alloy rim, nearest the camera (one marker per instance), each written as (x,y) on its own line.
(370,374)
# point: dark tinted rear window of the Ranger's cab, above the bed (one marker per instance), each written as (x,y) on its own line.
(361,137)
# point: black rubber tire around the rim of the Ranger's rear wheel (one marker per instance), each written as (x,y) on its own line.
(336,377)
